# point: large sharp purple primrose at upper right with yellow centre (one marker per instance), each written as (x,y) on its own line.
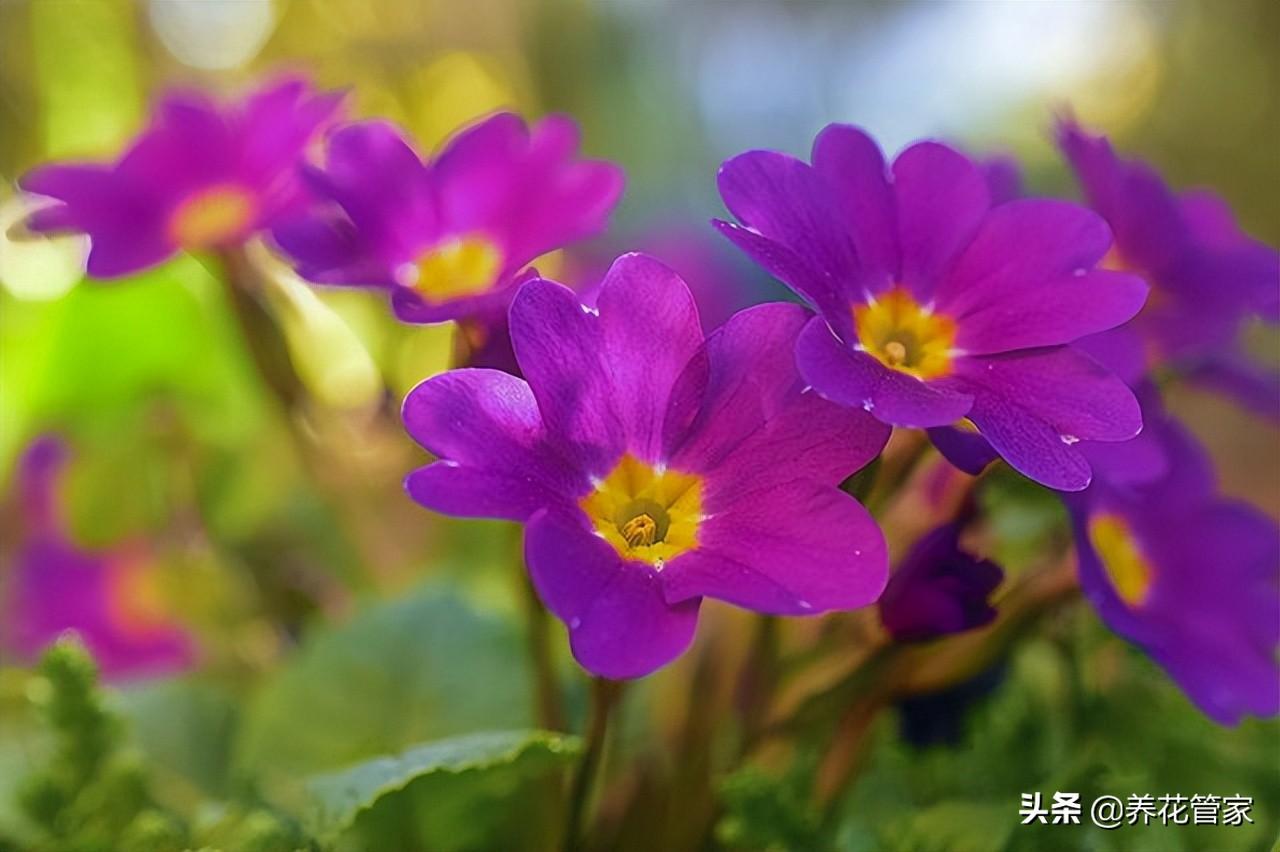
(938,306)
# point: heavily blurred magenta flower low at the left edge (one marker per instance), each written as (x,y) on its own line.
(112,599)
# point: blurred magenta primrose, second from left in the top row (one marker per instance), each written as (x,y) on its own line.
(449,237)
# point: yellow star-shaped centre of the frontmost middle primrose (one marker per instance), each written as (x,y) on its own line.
(648,514)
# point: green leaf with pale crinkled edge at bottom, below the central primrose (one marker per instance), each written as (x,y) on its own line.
(461,794)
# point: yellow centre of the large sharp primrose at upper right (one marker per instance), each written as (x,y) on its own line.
(906,336)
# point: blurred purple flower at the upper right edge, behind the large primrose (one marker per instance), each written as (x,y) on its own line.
(1208,276)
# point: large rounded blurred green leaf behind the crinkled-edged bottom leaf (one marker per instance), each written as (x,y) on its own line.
(400,674)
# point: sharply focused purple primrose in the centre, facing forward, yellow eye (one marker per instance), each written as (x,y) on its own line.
(653,468)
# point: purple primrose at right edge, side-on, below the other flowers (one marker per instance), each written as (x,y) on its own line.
(1186,575)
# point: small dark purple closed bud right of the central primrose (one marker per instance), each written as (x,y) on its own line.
(939,589)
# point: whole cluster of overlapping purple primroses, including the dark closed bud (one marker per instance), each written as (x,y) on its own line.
(656,466)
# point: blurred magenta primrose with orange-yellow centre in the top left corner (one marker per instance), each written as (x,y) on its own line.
(202,176)
